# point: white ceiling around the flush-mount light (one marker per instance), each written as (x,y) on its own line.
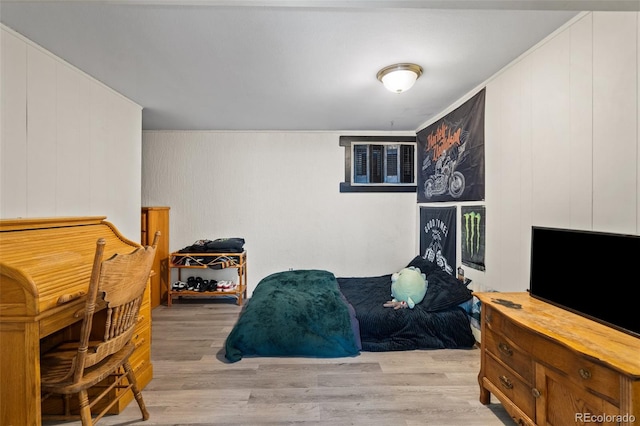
(289,65)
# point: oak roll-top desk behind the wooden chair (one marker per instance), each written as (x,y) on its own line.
(45,266)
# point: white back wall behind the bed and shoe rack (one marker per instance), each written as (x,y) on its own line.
(280,191)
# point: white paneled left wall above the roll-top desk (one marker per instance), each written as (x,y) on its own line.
(69,146)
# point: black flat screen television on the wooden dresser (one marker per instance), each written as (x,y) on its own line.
(589,273)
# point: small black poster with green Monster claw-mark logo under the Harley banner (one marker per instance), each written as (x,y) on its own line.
(473,236)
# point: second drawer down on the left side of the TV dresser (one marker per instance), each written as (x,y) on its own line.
(510,385)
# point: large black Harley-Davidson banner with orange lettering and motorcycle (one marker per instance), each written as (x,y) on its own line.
(451,155)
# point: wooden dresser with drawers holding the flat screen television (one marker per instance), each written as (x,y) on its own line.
(549,366)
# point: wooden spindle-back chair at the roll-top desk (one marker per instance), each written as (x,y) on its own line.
(73,367)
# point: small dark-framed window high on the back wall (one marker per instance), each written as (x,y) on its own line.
(379,164)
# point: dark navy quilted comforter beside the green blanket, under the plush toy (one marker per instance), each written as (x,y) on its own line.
(435,323)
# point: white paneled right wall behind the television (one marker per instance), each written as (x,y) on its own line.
(562,146)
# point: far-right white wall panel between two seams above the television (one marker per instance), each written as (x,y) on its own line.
(615,121)
